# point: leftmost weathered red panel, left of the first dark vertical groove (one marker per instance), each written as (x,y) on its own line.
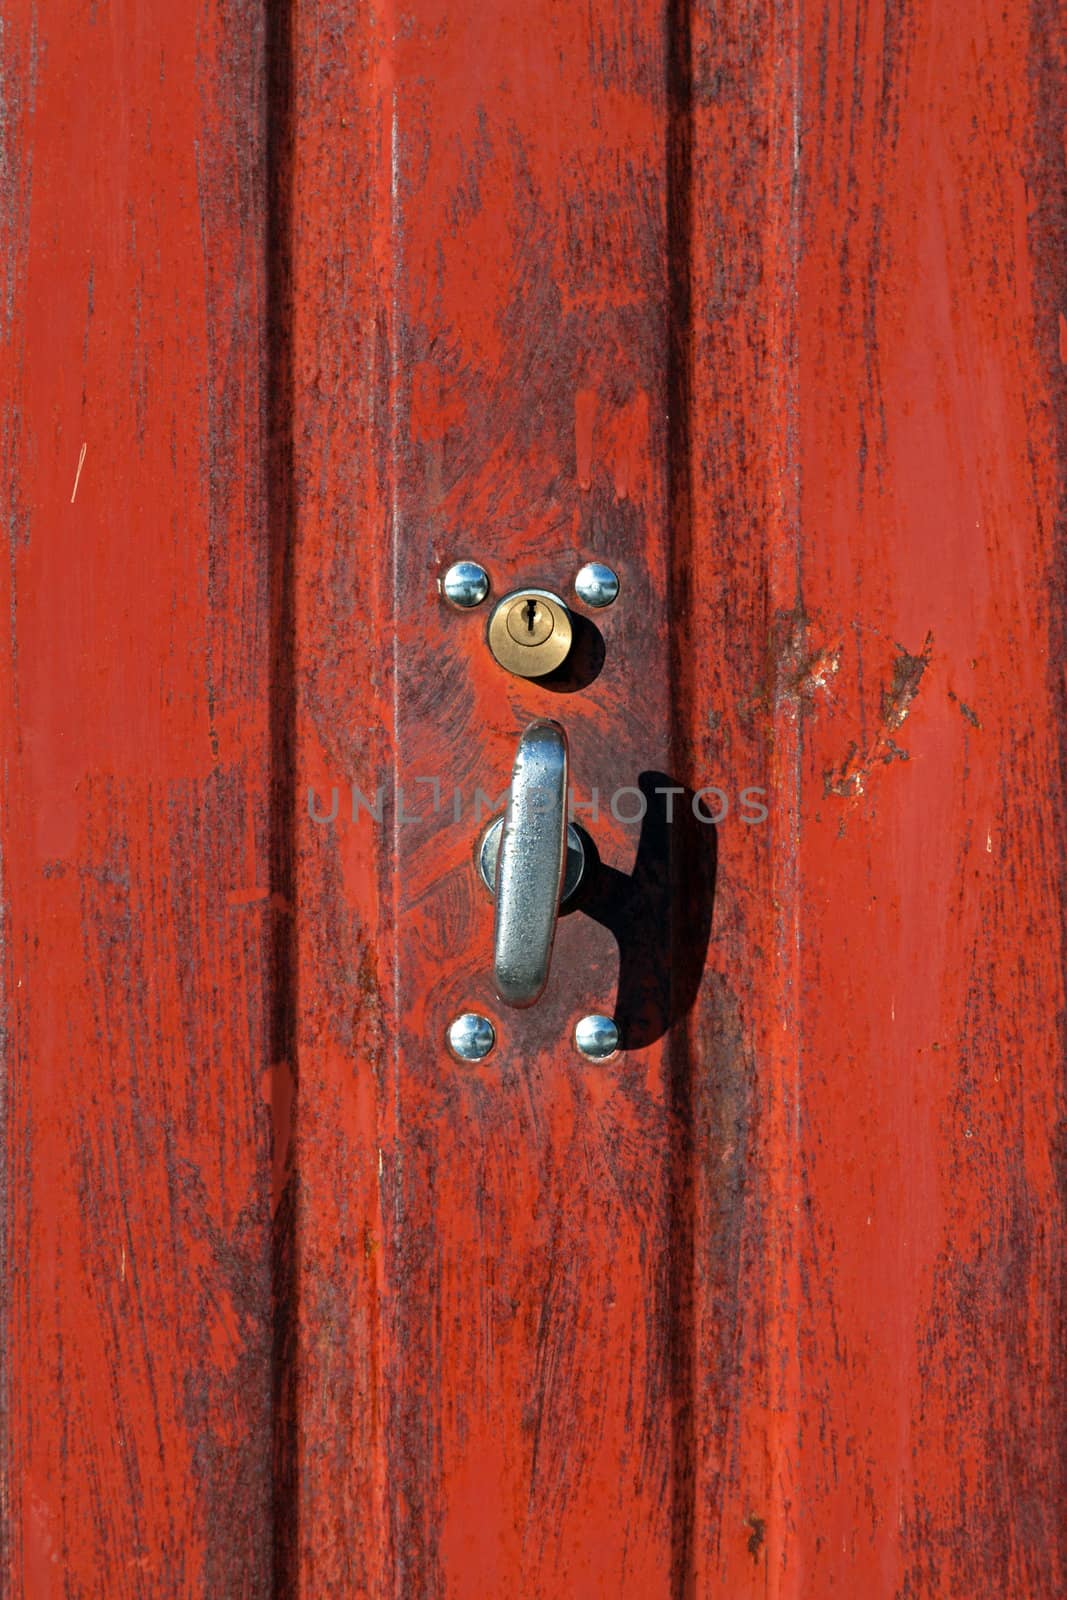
(135,783)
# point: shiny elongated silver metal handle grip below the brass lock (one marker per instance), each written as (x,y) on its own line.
(530,866)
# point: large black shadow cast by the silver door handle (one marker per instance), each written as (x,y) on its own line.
(660,913)
